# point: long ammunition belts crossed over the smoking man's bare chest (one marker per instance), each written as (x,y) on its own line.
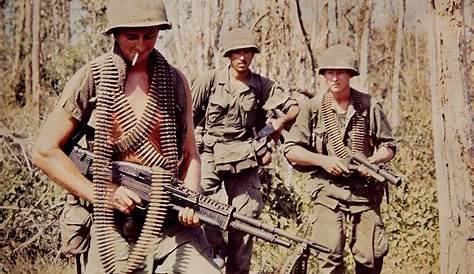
(110,74)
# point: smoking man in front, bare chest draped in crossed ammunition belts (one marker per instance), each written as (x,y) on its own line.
(134,107)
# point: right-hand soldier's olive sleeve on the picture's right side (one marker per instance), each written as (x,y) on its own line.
(380,129)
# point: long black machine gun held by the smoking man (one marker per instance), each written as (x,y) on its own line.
(138,178)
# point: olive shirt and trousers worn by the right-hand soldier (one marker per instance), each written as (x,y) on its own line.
(338,197)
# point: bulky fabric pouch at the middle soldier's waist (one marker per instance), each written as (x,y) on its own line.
(234,157)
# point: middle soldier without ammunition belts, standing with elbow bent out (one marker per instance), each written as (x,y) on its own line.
(228,104)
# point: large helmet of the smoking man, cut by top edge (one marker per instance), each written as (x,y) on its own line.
(136,13)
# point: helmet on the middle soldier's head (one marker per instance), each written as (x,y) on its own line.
(238,38)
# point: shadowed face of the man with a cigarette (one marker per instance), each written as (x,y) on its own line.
(137,40)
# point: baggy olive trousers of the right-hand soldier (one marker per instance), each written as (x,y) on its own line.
(368,241)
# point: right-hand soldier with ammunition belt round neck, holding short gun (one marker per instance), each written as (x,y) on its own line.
(329,128)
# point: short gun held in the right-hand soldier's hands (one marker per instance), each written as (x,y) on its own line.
(378,172)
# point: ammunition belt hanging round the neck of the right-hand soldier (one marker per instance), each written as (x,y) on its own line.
(334,129)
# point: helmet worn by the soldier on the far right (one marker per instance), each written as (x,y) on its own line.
(338,57)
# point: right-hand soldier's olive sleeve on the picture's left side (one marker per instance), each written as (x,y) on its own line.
(300,133)
